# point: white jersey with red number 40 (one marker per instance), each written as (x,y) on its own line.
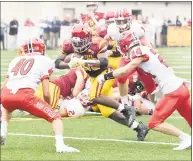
(28,71)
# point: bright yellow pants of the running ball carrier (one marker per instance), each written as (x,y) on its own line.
(102,90)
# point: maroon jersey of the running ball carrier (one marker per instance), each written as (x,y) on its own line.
(98,45)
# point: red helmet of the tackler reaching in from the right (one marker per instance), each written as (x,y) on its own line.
(126,41)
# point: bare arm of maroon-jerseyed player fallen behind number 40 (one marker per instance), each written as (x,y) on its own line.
(79,83)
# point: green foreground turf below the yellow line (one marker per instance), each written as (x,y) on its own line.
(23,147)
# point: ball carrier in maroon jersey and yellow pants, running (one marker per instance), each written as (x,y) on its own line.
(93,50)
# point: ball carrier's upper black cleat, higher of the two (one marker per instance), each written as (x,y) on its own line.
(129,113)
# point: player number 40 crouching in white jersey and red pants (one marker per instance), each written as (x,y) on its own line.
(24,74)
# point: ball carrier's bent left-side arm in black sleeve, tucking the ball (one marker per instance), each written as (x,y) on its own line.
(60,63)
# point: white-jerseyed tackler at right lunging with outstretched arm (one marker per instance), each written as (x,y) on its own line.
(172,90)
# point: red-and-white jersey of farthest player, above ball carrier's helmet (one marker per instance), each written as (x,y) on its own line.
(93,19)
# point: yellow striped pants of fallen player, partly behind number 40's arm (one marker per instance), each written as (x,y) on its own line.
(54,93)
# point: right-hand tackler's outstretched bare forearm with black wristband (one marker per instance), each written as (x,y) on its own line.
(125,69)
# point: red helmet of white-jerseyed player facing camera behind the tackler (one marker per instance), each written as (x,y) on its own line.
(123,19)
